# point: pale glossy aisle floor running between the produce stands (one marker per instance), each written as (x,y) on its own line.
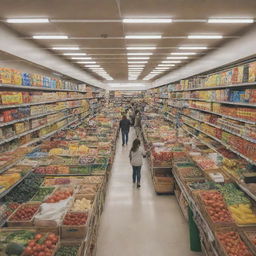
(137,222)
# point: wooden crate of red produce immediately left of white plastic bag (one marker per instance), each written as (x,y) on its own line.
(23,216)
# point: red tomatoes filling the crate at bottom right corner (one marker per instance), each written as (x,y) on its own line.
(233,244)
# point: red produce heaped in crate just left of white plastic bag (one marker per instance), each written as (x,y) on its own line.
(25,212)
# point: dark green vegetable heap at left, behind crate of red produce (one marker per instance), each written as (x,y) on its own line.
(25,190)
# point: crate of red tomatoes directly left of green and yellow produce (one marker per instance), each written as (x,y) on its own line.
(214,209)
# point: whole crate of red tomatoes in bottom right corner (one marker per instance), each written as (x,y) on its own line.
(230,243)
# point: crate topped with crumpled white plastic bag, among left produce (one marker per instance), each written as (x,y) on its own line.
(51,214)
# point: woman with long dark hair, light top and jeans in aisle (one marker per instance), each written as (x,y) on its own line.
(136,158)
